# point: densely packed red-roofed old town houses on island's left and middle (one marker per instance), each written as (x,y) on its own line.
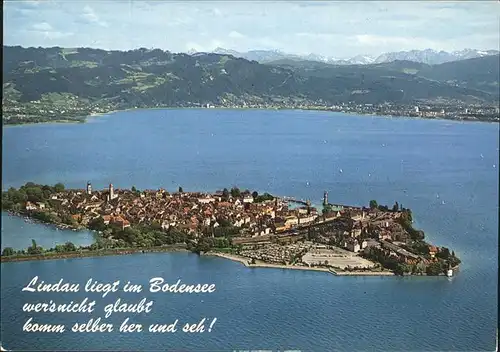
(192,212)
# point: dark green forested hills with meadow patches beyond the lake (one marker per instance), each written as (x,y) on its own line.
(148,78)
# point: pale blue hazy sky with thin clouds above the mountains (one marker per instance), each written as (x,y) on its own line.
(338,29)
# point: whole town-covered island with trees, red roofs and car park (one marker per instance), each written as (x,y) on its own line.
(259,230)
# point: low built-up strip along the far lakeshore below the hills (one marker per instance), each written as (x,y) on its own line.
(41,110)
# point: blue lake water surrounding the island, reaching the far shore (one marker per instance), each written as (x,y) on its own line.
(446,172)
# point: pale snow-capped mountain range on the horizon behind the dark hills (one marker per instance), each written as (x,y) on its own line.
(428,56)
